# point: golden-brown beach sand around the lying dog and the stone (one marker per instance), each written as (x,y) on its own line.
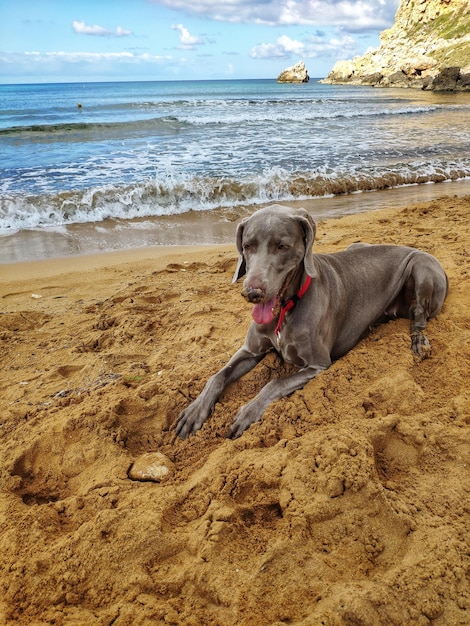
(347,504)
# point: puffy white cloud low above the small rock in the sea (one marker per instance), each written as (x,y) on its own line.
(314,46)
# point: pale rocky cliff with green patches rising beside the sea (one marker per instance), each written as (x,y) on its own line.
(428,47)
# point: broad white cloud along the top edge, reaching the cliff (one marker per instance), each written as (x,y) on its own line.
(351,15)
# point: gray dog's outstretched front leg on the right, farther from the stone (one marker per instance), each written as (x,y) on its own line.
(274,390)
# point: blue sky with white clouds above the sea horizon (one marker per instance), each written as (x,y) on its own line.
(43,41)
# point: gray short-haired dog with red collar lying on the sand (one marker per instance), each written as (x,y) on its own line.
(311,308)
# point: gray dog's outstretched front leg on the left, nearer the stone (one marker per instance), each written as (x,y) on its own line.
(194,416)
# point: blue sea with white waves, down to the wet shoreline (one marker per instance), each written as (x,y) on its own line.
(86,167)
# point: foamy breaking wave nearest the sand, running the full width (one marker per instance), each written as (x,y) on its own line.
(177,195)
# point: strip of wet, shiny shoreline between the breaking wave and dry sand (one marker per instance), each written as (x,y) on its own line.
(196,228)
